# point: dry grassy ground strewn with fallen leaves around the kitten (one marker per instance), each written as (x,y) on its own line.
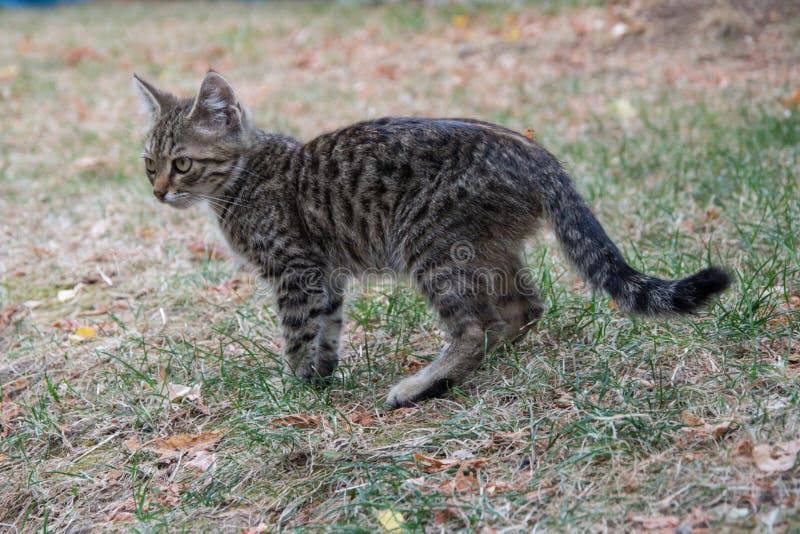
(139,367)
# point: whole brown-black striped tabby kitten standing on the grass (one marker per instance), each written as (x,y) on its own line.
(448,202)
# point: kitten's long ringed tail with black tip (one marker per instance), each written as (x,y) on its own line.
(600,262)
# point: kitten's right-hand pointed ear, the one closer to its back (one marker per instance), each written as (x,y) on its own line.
(216,104)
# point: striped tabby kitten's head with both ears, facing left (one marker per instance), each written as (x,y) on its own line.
(194,146)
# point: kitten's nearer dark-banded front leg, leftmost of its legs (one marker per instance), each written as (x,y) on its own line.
(301,295)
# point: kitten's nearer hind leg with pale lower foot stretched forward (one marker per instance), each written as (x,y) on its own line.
(474,328)
